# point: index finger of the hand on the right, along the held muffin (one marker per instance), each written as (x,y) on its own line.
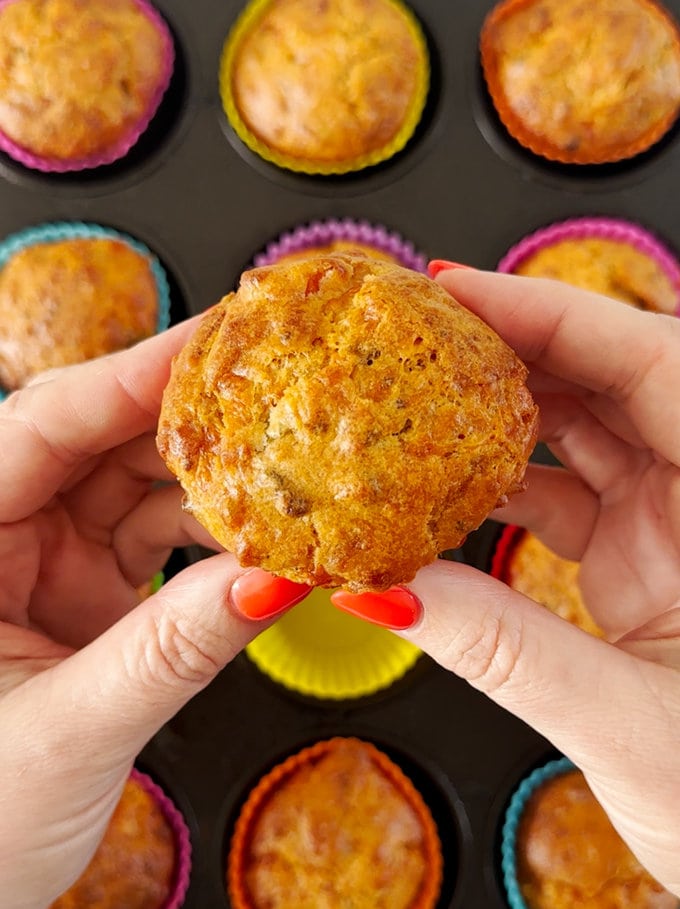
(599,344)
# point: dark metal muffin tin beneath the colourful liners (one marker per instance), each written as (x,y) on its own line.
(462,189)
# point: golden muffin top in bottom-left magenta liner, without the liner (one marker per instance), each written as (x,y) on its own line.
(134,866)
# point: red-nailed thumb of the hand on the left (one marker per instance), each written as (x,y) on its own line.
(114,694)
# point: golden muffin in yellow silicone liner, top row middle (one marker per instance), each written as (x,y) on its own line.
(325,88)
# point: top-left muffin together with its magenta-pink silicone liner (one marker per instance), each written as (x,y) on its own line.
(75,57)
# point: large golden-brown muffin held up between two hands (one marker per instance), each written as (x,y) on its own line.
(340,421)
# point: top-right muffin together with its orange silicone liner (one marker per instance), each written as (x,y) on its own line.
(583,81)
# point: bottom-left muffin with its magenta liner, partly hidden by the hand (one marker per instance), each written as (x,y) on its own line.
(110,860)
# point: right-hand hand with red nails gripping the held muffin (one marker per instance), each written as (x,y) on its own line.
(606,379)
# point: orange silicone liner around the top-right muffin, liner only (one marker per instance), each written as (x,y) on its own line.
(542,146)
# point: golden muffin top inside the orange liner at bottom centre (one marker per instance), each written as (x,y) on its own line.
(337,833)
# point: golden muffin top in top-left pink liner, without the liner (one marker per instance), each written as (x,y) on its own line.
(76,75)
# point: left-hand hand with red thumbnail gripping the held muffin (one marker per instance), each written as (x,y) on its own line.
(87,676)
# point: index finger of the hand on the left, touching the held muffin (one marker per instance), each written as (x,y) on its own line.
(49,428)
